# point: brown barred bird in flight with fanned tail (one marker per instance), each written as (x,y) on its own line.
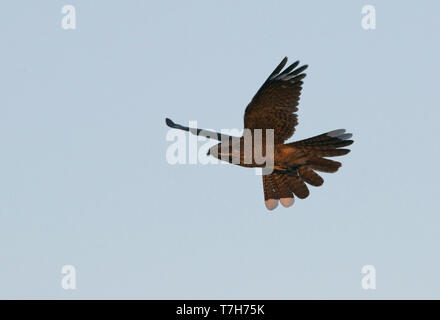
(294,164)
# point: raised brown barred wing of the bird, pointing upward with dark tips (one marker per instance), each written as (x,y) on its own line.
(274,104)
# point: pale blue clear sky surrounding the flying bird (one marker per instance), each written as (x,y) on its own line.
(84,178)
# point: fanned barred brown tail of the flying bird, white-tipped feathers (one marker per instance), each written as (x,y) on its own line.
(282,186)
